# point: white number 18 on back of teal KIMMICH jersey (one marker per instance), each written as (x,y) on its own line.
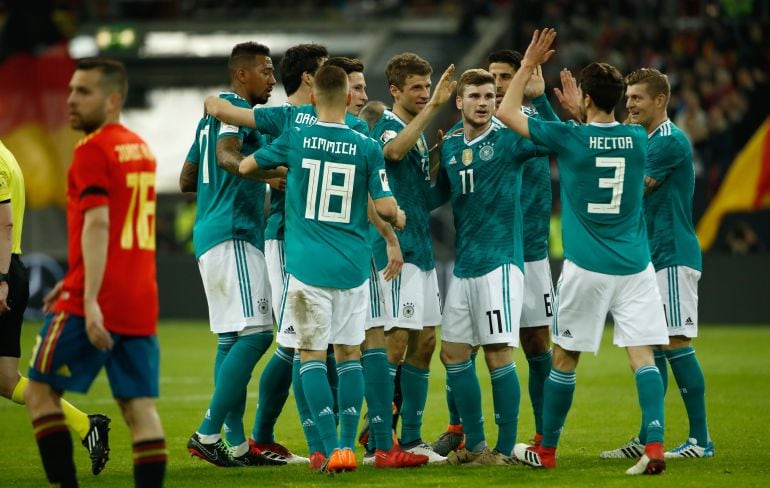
(336,181)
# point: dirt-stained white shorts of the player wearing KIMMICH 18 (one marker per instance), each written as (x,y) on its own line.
(314,317)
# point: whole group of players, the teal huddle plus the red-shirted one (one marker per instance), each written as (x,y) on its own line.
(344,263)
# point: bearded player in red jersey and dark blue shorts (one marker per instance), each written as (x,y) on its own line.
(107,307)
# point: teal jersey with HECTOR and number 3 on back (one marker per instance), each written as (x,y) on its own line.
(601,167)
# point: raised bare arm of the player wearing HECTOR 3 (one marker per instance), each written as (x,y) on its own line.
(538,52)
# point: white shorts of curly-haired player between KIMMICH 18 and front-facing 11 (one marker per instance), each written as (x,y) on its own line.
(412,299)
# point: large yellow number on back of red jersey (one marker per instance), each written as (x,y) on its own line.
(140,214)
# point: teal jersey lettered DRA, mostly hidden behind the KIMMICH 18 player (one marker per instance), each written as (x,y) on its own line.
(273,121)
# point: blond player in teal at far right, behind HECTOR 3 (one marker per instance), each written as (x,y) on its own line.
(669,184)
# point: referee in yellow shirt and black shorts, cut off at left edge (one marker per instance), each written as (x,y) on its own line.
(14,293)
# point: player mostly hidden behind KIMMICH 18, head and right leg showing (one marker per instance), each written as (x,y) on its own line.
(382,452)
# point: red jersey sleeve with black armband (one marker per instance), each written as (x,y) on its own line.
(90,177)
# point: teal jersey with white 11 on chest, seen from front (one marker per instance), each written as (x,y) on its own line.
(482,179)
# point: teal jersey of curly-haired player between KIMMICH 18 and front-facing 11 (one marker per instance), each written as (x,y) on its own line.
(410,182)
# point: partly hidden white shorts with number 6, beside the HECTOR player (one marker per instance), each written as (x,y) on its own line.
(537,309)
